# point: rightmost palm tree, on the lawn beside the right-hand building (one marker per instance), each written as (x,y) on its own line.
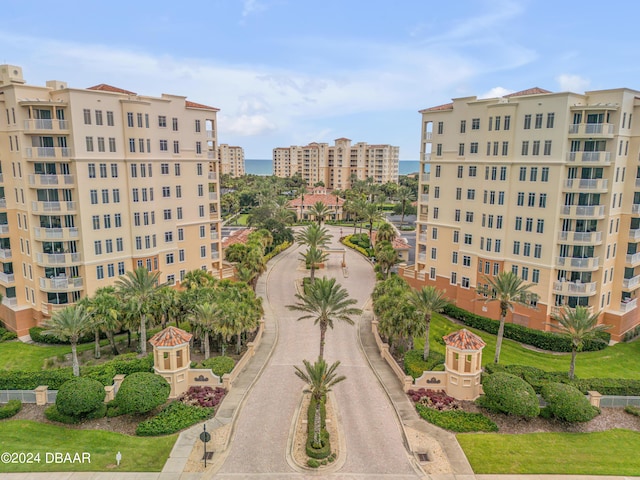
(579,325)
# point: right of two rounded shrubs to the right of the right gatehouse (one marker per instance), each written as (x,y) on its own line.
(567,403)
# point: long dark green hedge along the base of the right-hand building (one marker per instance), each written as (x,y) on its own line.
(549,341)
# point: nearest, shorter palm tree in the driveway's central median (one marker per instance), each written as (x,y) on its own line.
(320,380)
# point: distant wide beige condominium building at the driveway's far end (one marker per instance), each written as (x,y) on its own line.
(336,165)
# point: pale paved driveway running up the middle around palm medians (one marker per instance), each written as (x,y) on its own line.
(374,447)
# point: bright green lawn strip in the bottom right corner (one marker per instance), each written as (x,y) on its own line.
(614,452)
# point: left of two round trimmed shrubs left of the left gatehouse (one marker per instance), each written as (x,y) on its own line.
(80,397)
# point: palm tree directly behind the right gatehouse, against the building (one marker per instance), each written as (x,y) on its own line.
(508,289)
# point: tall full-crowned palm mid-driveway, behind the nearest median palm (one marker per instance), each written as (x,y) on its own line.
(326,301)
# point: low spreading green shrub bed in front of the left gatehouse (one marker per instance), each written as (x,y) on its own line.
(174,417)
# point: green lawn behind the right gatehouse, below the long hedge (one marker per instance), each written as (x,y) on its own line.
(620,361)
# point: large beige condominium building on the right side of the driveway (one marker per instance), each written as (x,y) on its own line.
(546,185)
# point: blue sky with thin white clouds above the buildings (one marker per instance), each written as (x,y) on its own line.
(289,72)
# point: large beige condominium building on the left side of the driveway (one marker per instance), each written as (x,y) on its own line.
(96,182)
